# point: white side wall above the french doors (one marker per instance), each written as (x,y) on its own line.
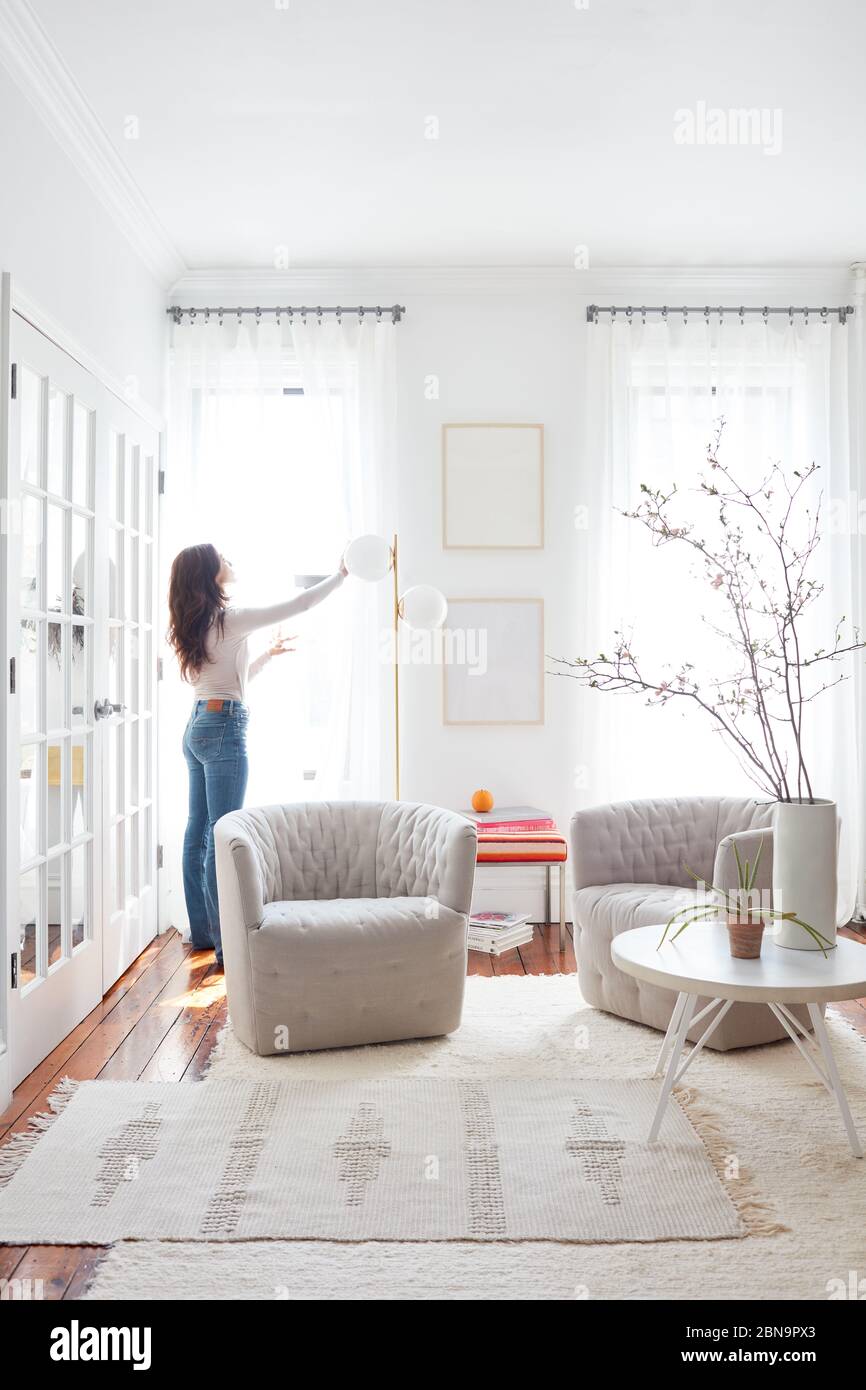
(69,258)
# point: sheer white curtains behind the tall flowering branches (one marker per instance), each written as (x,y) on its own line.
(657,394)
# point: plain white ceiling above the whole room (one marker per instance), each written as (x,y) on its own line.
(305,127)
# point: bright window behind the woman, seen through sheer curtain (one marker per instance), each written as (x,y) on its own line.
(270,497)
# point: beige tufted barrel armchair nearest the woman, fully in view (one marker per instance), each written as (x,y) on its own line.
(344,922)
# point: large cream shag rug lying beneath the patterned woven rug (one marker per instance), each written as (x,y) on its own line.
(768,1125)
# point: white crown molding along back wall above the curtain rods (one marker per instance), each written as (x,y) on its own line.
(612,284)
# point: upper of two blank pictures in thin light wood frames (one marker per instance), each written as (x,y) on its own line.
(493,487)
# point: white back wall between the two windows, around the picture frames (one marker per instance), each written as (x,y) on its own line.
(508,359)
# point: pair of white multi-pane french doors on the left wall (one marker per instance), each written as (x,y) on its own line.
(80,608)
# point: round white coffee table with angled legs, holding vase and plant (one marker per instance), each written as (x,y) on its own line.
(700,964)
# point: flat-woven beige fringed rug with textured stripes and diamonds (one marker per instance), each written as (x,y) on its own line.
(362,1160)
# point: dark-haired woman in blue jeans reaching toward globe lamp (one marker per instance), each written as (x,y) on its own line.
(209,639)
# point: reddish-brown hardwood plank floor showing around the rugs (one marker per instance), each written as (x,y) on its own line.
(161,1024)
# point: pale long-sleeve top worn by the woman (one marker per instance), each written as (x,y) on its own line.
(229,669)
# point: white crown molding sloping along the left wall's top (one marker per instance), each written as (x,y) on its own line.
(40,72)
